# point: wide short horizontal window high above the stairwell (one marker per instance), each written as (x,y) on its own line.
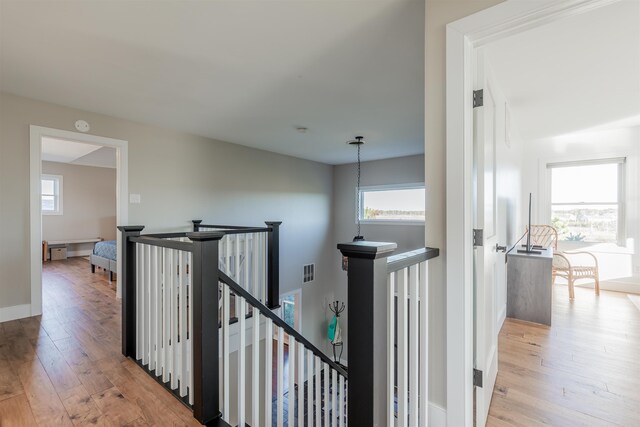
(392,204)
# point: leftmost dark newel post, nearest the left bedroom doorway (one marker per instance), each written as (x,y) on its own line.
(128,291)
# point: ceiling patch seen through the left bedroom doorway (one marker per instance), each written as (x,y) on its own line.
(77,153)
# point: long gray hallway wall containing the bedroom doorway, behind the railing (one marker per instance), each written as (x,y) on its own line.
(180,177)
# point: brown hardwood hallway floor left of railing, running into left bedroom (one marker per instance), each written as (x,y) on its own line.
(64,368)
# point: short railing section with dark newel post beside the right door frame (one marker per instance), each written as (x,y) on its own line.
(388,334)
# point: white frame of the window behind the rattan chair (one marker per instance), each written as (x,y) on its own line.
(621,199)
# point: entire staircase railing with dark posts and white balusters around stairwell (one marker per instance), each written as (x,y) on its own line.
(206,331)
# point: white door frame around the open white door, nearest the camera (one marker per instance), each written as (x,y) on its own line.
(463,36)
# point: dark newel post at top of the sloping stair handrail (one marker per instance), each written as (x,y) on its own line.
(205,325)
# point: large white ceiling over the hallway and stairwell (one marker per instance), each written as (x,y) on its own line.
(246,72)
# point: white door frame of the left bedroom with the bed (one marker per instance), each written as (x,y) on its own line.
(35,171)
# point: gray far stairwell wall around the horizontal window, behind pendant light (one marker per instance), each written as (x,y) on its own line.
(400,170)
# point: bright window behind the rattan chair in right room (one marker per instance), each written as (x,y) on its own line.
(587,200)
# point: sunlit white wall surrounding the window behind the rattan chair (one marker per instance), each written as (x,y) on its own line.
(619,267)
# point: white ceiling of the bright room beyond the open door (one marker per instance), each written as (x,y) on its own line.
(575,74)
